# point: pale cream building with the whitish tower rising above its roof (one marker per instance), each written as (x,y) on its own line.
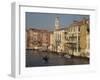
(58,36)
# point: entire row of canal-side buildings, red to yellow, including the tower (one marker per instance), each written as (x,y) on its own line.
(73,39)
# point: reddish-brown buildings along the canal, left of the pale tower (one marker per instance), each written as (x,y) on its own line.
(37,39)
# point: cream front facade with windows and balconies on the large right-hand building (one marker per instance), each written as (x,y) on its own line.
(72,37)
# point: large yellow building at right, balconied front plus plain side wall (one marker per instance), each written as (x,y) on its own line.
(77,38)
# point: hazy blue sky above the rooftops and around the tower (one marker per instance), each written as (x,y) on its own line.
(47,20)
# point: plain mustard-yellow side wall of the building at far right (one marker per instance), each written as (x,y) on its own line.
(84,37)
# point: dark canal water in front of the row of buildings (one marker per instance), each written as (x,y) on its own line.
(38,58)
